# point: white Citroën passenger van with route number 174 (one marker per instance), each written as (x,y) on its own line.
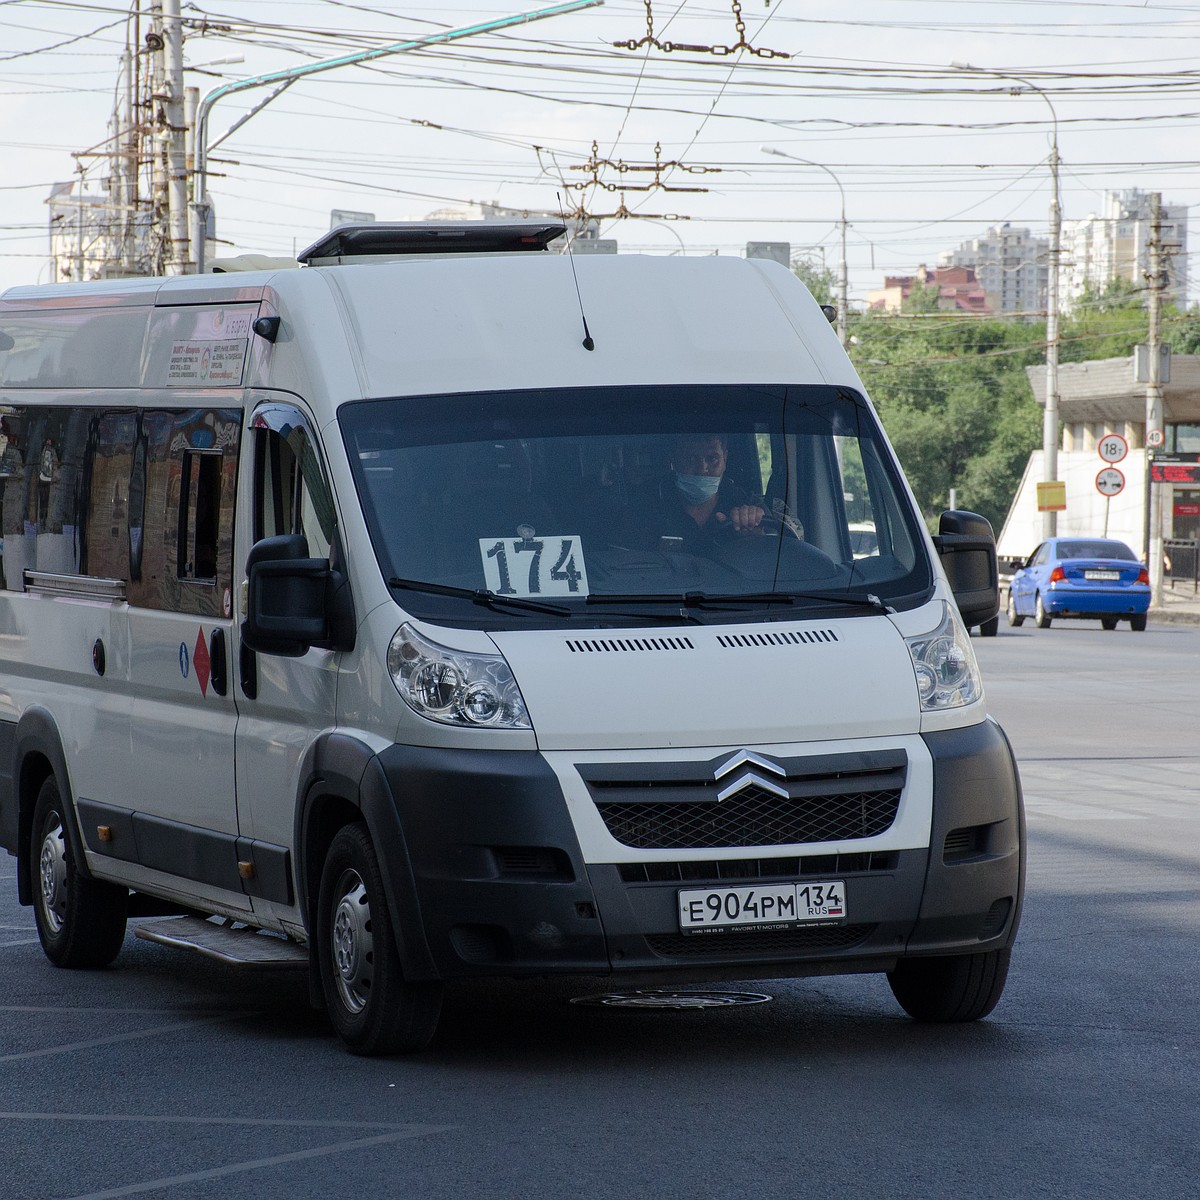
(445,608)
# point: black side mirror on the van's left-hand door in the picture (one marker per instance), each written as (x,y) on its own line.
(286,609)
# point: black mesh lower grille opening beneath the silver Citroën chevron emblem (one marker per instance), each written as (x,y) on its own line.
(752,818)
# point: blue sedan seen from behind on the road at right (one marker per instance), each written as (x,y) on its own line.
(1097,579)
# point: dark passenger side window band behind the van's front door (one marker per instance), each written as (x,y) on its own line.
(141,496)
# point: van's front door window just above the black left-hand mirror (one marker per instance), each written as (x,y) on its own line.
(291,493)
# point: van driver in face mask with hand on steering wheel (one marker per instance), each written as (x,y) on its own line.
(695,503)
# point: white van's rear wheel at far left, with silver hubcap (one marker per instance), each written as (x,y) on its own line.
(81,922)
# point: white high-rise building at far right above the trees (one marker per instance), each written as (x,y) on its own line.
(1099,250)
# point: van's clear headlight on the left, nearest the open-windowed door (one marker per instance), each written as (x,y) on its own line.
(455,687)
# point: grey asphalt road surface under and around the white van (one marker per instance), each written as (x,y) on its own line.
(173,1077)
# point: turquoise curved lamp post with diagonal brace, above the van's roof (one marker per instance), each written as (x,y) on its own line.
(287,77)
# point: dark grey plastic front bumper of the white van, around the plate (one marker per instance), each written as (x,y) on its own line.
(497,884)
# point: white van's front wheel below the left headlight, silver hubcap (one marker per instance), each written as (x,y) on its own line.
(373,1007)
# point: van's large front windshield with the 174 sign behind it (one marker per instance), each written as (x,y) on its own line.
(625,506)
